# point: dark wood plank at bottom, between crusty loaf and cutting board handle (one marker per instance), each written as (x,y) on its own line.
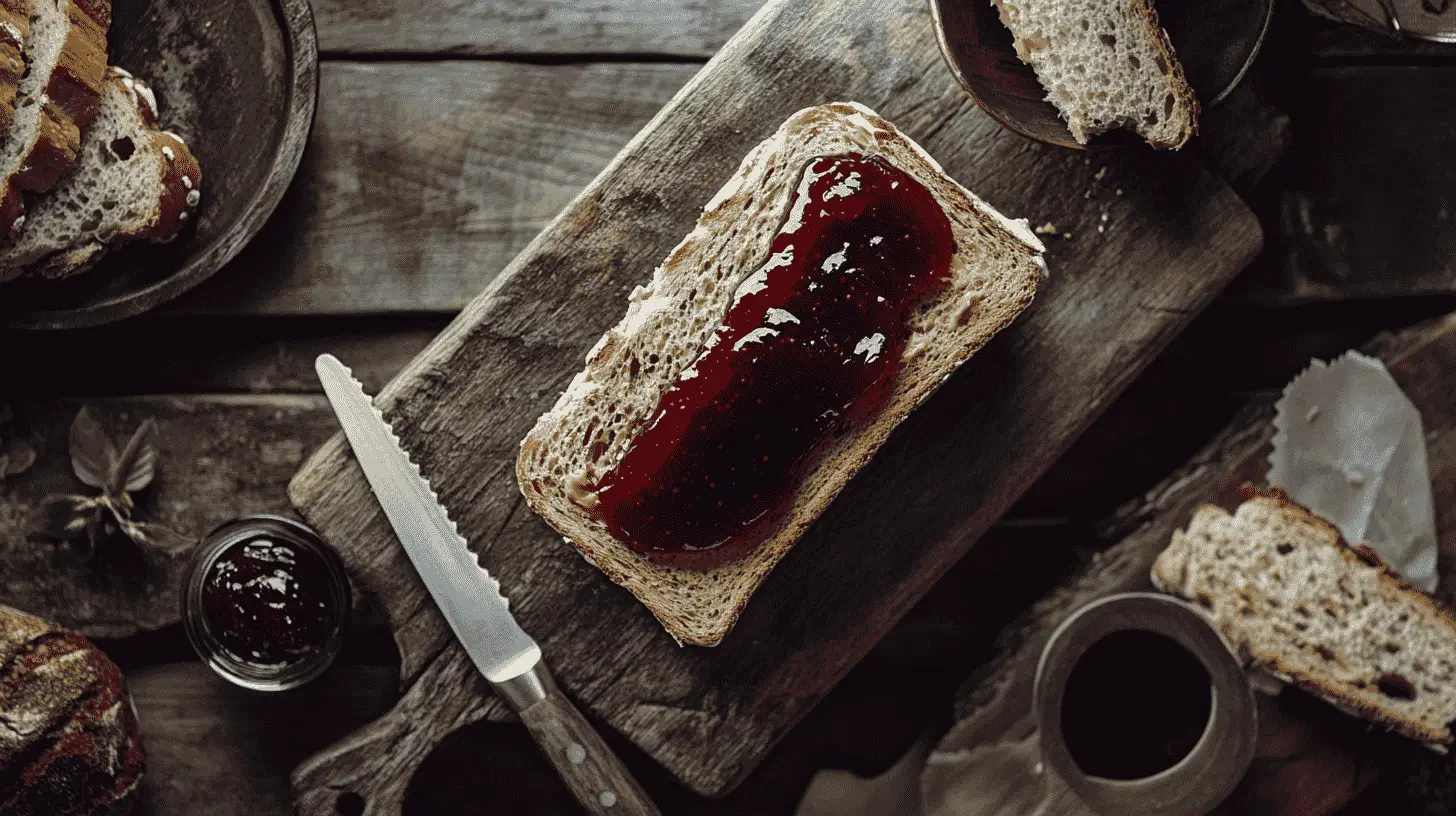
(215,748)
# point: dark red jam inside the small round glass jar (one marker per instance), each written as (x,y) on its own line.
(270,603)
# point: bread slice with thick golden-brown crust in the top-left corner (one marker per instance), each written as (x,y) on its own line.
(59,97)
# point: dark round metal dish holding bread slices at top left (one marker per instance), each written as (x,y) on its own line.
(240,81)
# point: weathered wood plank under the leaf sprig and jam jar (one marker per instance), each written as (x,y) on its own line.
(219,458)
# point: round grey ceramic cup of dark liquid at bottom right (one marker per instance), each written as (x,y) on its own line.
(1216,761)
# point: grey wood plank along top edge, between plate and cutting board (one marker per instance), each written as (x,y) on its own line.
(493,28)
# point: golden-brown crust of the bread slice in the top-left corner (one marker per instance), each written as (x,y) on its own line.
(71,101)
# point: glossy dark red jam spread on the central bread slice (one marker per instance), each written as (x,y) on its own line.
(810,348)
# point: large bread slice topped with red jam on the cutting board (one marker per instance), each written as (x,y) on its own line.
(749,241)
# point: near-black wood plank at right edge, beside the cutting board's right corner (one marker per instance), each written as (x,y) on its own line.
(1369,190)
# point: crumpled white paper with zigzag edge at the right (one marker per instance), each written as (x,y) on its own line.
(1350,447)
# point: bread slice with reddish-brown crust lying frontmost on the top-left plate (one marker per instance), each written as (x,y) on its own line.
(132,181)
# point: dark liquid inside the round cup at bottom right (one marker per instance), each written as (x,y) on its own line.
(1135,706)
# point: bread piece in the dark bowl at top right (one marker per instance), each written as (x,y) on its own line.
(1106,65)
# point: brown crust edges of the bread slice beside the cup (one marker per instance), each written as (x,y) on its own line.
(1356,559)
